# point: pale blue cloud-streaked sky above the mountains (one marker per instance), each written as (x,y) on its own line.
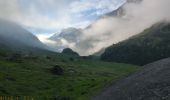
(51,16)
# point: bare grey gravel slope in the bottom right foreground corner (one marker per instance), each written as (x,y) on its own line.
(150,83)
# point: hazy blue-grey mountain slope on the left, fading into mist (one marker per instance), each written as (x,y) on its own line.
(17,38)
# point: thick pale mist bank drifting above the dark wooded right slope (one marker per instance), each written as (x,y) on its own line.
(112,29)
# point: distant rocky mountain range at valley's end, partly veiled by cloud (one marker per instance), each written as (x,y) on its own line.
(71,36)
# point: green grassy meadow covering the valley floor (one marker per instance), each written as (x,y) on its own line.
(81,80)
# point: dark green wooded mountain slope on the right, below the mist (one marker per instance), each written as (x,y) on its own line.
(151,45)
